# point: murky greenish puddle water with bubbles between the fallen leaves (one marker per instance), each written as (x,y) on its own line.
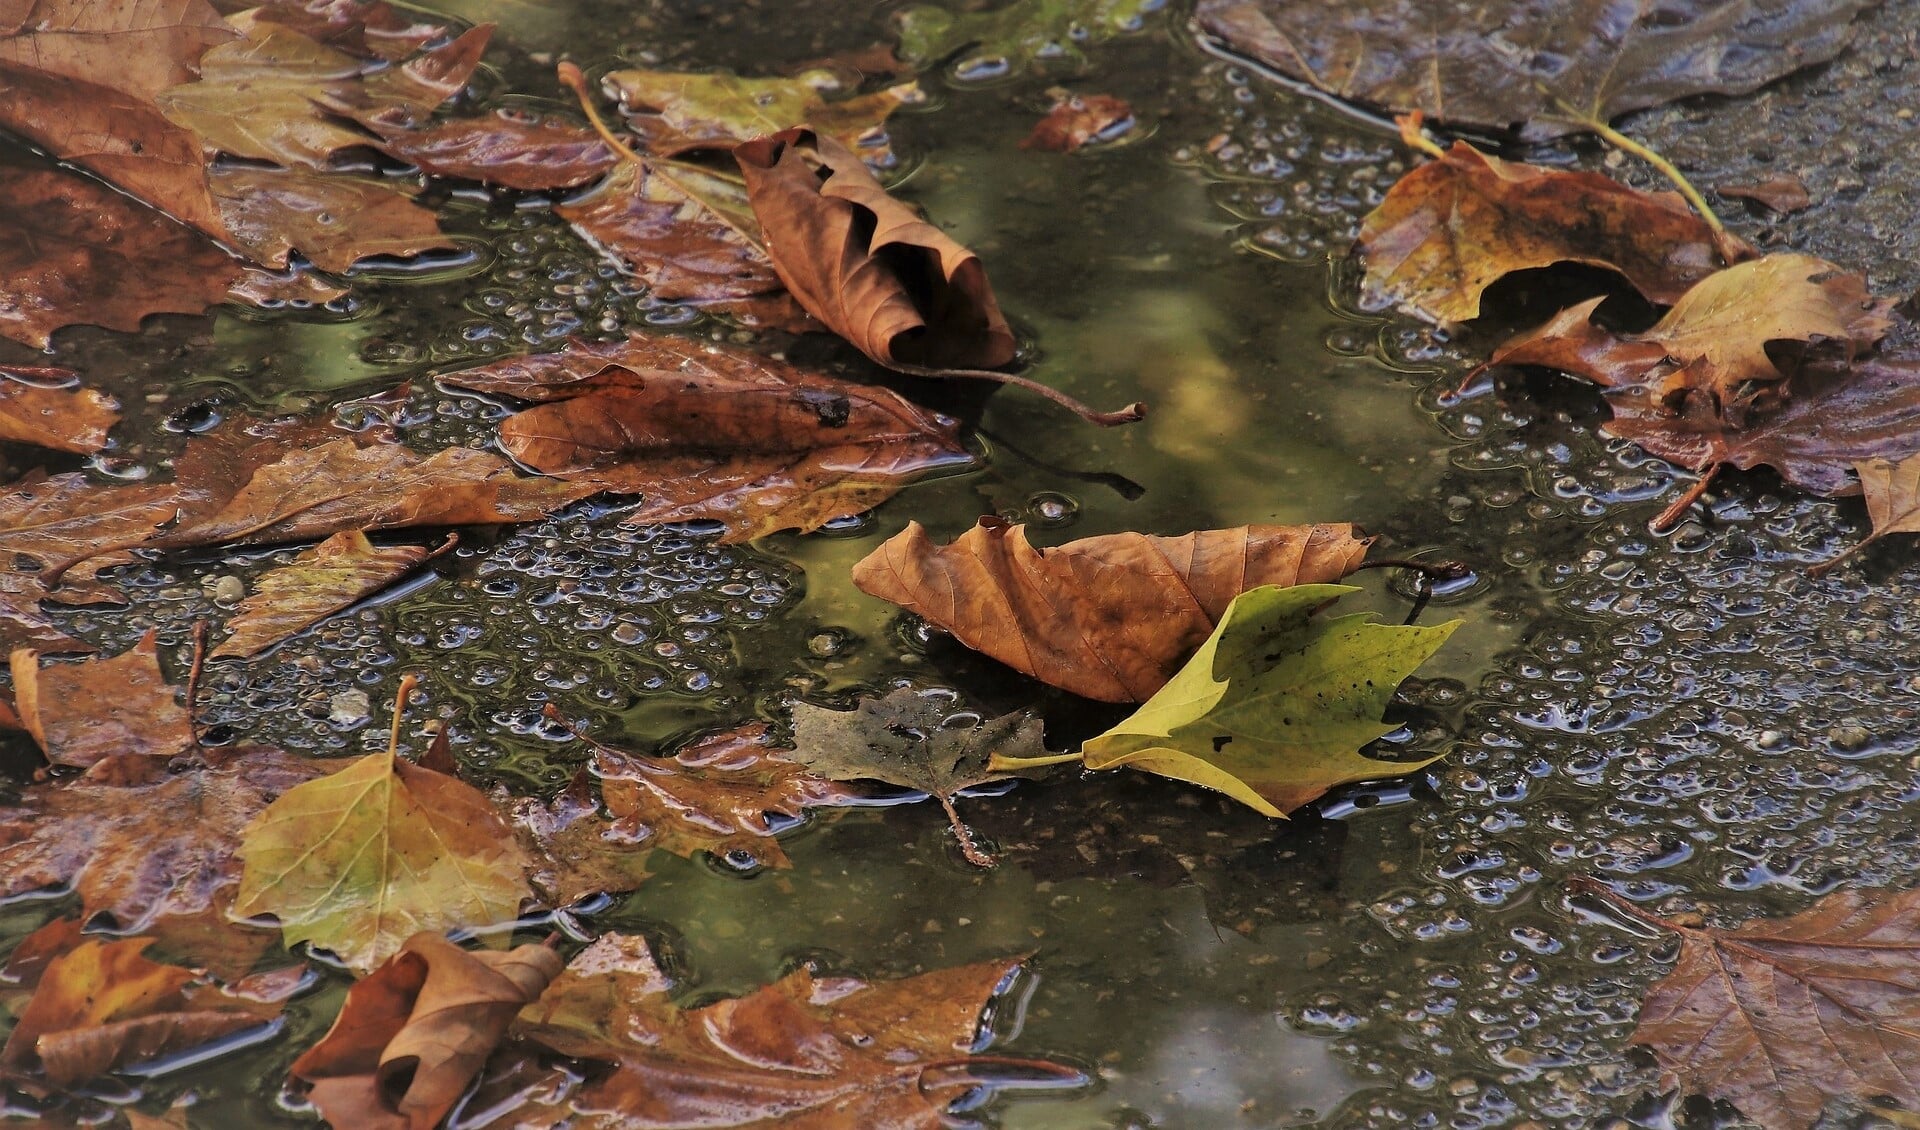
(1691,715)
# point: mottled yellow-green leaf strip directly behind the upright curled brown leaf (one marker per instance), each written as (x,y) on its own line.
(681,112)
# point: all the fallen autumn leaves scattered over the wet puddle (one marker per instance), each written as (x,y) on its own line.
(277,158)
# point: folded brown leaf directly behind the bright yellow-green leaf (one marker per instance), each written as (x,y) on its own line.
(1105,617)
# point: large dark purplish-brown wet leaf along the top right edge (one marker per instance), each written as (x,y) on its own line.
(1548,68)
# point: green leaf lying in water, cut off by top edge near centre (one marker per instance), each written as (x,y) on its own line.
(1017,35)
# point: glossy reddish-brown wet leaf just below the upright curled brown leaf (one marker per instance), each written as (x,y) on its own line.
(715,435)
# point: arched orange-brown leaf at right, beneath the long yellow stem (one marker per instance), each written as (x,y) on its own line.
(1456,225)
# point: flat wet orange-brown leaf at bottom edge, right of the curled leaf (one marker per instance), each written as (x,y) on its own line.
(804,1052)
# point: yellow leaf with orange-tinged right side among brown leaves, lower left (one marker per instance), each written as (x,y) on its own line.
(377,853)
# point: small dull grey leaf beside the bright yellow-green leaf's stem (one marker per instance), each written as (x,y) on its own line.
(917,742)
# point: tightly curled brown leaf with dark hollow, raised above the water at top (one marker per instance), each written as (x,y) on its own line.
(867,266)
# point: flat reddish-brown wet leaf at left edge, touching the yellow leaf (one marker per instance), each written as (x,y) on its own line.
(155,853)
